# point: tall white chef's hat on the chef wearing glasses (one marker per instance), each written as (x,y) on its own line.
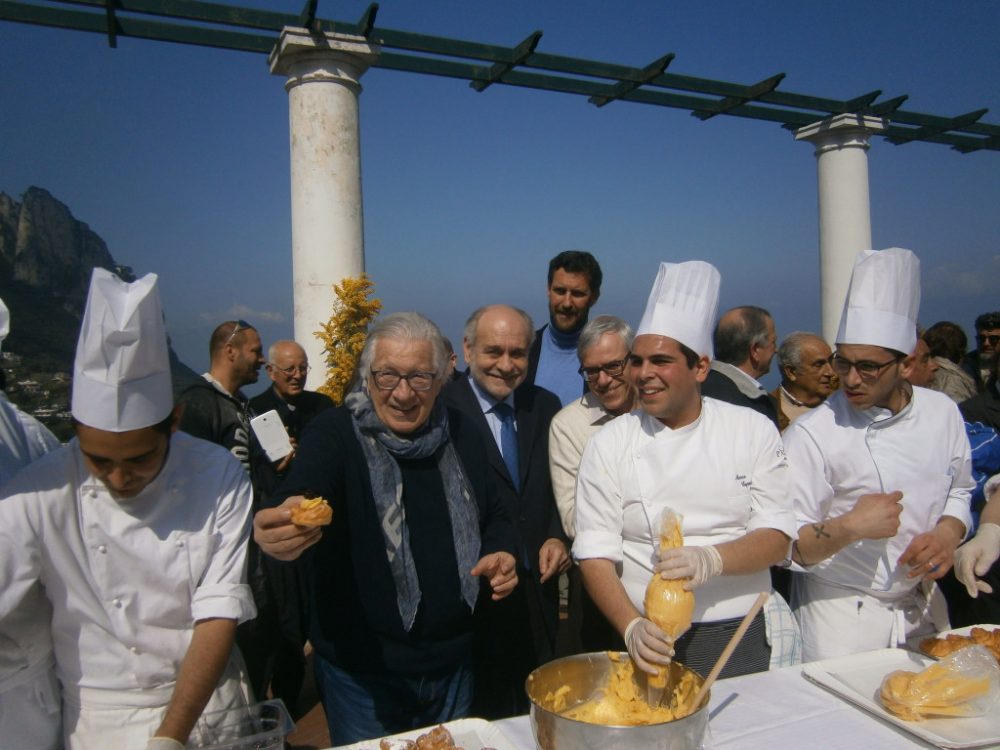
(882,301)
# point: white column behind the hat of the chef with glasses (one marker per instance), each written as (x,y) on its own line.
(844,212)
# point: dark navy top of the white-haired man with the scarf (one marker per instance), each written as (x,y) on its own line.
(355,622)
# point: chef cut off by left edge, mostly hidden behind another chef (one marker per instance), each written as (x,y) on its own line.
(29,692)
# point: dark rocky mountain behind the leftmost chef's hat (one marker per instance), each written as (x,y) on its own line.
(46,259)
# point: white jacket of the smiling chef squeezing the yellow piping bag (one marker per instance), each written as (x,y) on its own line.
(726,474)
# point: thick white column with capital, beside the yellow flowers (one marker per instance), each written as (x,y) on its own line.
(327,220)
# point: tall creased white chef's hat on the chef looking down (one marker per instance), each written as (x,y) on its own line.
(121,376)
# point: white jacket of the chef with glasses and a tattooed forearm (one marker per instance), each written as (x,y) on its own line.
(838,453)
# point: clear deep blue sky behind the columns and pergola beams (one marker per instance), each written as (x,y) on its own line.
(178,157)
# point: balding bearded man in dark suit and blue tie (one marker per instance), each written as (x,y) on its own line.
(517,634)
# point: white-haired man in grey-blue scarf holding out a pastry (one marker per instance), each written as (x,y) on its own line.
(417,529)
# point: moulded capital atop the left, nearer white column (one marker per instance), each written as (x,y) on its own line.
(306,57)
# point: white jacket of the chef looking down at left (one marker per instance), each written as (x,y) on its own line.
(128,579)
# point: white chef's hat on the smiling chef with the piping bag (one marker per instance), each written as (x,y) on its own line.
(682,305)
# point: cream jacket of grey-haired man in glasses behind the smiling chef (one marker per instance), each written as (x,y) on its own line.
(569,432)
